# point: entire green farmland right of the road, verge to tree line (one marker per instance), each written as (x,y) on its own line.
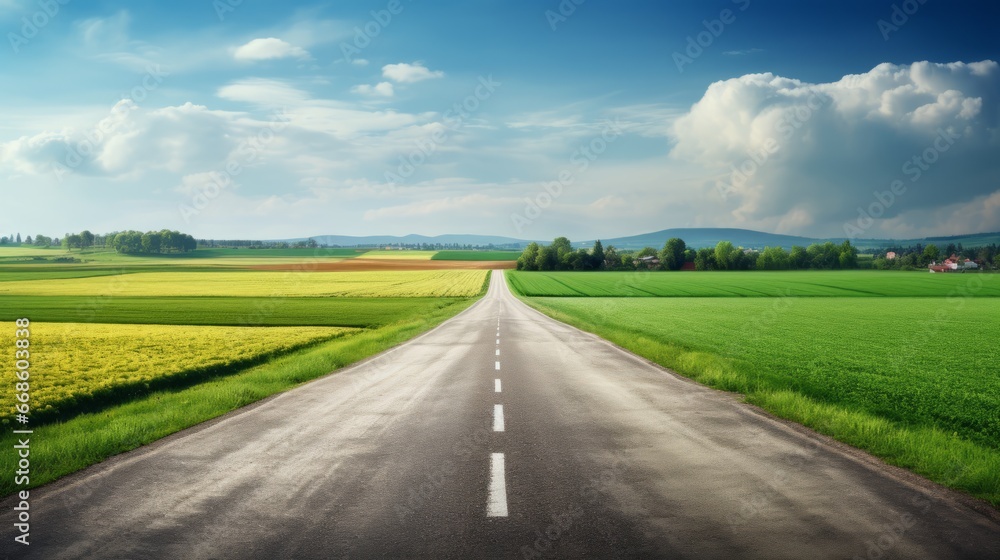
(909,378)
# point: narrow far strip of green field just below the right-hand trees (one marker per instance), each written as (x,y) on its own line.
(809,283)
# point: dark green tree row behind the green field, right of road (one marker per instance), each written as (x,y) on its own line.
(675,254)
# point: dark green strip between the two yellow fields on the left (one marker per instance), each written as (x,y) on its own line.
(224,311)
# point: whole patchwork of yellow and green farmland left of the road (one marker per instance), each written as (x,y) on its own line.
(128,349)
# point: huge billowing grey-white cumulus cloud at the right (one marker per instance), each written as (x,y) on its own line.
(794,156)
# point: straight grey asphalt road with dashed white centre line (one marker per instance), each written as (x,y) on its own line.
(597,454)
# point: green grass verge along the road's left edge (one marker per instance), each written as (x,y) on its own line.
(66,447)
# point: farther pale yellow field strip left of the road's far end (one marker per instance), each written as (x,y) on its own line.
(424,283)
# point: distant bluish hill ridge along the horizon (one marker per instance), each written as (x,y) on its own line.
(694,237)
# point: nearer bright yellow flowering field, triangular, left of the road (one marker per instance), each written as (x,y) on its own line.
(76,363)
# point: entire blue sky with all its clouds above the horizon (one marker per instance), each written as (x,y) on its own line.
(244,119)
